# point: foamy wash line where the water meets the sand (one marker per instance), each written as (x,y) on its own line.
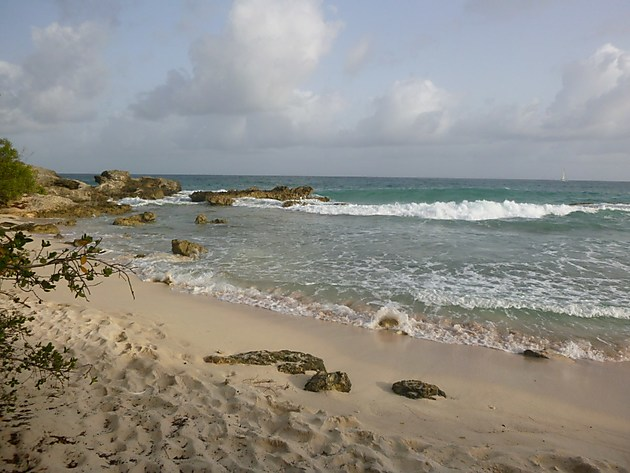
(440,329)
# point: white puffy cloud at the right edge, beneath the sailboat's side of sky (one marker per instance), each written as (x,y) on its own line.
(595,96)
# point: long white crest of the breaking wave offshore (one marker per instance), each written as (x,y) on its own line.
(466,210)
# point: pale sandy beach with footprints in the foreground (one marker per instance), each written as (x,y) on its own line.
(157,406)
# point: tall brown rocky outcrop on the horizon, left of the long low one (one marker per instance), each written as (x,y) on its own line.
(119,184)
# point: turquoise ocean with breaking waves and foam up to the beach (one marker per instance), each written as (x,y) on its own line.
(504,264)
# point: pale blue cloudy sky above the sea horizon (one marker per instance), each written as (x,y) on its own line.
(524,89)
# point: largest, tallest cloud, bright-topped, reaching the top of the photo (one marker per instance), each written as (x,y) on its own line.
(258,65)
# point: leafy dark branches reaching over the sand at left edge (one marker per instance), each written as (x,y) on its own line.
(79,267)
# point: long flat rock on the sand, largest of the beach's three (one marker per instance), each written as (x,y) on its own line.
(286,361)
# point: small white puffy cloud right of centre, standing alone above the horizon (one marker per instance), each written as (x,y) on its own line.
(412,111)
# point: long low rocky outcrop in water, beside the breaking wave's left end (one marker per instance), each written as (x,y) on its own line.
(281,193)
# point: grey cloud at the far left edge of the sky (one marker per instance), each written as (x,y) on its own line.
(58,82)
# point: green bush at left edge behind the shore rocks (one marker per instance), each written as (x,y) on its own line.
(16,178)
